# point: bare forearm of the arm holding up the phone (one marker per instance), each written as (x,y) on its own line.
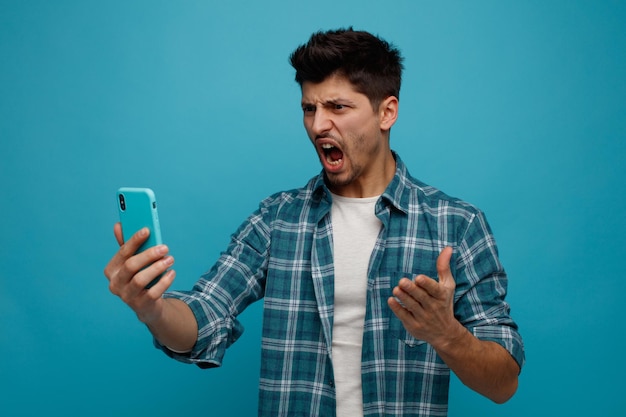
(175,327)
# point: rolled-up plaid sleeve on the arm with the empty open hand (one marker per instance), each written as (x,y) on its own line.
(480,303)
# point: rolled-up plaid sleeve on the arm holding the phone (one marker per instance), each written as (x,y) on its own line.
(220,295)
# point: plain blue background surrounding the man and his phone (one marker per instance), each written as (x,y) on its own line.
(517,107)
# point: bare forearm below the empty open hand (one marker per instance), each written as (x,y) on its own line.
(484,366)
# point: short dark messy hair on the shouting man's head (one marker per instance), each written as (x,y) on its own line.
(371,64)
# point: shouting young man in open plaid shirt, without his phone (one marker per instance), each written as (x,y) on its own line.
(375,285)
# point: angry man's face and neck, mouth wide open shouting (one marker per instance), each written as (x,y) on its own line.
(347,135)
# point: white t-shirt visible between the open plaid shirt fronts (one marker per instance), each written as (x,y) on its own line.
(355,229)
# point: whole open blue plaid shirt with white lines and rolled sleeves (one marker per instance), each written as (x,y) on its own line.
(283,252)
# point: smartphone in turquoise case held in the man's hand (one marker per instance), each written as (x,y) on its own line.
(138,209)
